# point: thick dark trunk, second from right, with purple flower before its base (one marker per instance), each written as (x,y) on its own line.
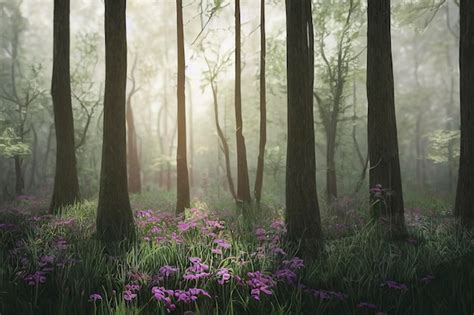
(384,174)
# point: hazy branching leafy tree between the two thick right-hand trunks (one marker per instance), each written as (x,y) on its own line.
(336,67)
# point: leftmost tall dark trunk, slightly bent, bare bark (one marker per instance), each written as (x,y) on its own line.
(66,183)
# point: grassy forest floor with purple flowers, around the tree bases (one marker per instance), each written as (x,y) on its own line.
(211,263)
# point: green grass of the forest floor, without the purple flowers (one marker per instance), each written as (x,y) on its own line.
(355,261)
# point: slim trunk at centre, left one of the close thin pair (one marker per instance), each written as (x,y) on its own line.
(243,186)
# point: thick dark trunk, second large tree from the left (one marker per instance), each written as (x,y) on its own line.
(114,214)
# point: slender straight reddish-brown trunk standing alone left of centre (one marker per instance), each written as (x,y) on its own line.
(182,180)
